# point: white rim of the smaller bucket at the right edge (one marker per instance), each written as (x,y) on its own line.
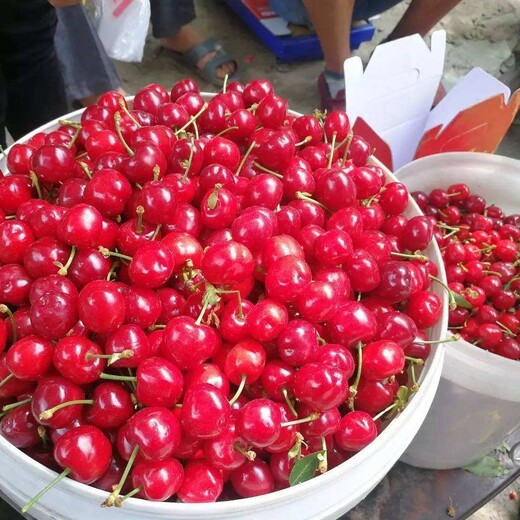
(487,373)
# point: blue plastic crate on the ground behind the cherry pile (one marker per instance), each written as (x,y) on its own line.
(293,48)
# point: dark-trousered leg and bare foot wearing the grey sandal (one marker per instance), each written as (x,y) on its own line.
(172,25)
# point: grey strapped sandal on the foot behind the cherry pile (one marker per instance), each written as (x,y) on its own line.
(191,57)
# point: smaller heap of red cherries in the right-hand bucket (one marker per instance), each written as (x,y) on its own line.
(479,244)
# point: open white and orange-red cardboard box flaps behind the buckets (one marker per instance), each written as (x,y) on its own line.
(389,103)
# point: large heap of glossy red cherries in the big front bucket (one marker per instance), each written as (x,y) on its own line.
(198,295)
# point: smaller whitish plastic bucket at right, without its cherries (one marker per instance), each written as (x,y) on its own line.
(478,400)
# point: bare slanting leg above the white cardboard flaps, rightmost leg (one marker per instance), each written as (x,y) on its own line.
(421,16)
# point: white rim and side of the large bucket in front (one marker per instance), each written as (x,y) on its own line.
(325,497)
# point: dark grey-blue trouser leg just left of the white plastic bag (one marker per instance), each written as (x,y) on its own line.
(87,70)
